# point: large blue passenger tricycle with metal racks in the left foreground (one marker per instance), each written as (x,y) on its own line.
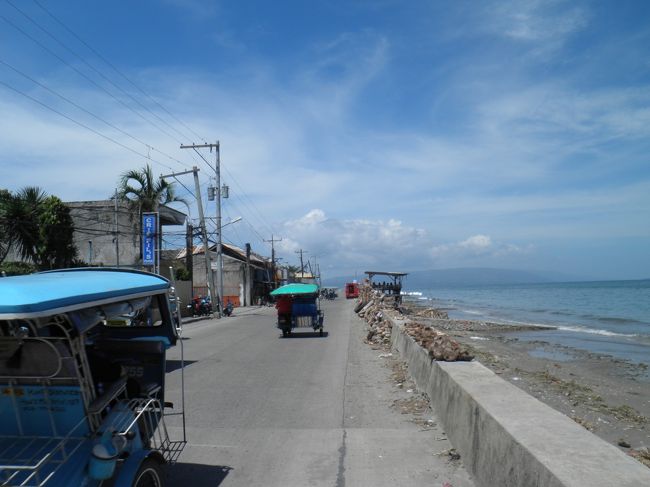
(82,379)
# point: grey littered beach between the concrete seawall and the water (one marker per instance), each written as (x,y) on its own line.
(608,396)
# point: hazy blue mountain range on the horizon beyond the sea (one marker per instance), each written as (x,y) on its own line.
(463,277)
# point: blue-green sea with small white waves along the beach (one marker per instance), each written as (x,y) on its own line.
(604,317)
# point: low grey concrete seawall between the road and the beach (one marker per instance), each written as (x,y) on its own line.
(506,437)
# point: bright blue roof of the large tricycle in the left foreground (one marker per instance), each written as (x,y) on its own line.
(60,291)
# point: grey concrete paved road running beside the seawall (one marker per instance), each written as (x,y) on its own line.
(298,411)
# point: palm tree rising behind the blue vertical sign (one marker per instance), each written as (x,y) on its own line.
(145,193)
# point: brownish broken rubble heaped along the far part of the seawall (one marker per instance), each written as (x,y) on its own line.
(373,307)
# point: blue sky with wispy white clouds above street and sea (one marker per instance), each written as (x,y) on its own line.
(374,135)
